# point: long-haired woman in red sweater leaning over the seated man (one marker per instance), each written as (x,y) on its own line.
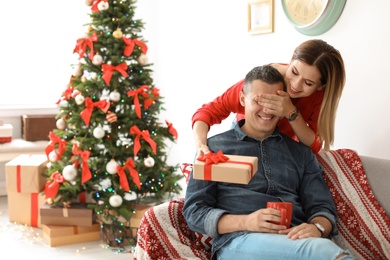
(315,80)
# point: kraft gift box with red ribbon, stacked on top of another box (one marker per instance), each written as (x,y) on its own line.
(24,173)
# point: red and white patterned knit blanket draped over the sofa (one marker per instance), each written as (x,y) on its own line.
(364,228)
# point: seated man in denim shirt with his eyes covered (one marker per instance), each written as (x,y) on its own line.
(236,216)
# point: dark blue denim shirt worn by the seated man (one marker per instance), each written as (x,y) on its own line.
(287,171)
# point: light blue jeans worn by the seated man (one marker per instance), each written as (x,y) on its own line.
(274,246)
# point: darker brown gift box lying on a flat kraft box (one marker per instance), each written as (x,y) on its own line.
(78,214)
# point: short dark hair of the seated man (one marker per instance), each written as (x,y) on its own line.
(265,73)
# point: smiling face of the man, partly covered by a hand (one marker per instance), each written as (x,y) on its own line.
(259,124)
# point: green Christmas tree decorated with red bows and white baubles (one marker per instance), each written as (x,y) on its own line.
(110,142)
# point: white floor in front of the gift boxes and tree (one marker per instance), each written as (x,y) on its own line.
(18,240)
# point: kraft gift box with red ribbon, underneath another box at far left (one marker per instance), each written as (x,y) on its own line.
(23,208)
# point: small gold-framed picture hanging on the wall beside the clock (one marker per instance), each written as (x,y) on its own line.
(260,16)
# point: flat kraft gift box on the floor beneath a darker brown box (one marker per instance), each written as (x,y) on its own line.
(65,235)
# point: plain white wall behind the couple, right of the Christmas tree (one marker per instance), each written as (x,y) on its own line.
(200,48)
